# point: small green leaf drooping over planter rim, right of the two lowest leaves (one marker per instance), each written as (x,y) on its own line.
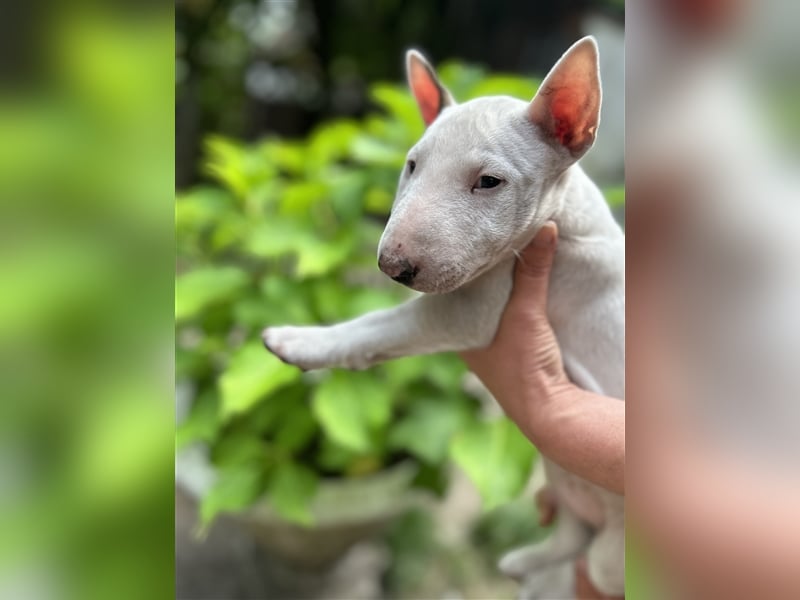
(290,491)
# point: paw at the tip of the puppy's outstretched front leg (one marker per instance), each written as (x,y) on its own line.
(304,347)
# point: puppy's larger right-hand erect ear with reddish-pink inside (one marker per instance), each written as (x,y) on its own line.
(567,105)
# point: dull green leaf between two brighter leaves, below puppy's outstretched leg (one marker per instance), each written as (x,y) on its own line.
(427,429)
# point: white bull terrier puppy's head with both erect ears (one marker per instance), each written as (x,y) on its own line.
(478,184)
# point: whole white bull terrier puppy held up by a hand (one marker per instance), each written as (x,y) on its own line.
(477,187)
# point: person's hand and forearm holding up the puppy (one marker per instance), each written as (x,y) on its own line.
(581,431)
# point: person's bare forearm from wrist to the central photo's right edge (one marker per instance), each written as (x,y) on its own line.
(581,431)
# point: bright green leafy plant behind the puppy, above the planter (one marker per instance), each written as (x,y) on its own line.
(287,234)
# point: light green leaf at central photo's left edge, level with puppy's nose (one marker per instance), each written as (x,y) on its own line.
(203,287)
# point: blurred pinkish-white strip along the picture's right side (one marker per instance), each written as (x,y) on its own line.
(713,285)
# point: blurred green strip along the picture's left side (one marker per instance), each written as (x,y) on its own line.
(86,417)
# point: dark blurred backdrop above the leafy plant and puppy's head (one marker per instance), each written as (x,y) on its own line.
(247,69)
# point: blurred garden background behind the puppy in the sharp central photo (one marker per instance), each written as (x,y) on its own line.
(292,124)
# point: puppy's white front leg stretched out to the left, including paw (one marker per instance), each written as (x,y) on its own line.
(462,319)
